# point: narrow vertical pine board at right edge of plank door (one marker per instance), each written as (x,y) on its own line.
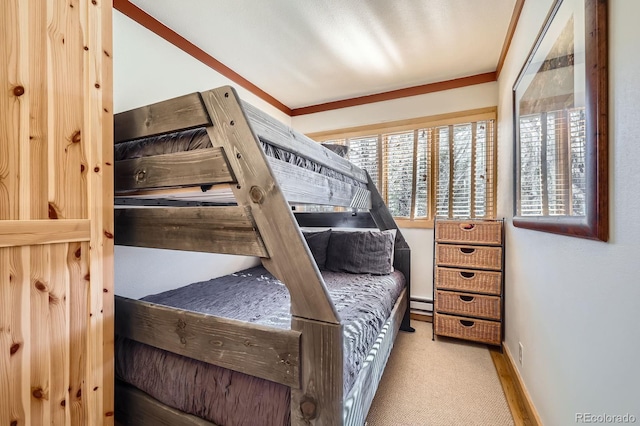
(101,342)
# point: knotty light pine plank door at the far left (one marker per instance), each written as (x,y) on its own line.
(55,203)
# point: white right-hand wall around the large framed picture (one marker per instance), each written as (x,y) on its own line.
(573,303)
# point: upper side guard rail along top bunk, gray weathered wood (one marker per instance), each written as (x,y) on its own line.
(282,136)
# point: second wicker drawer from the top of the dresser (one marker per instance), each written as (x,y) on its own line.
(469,256)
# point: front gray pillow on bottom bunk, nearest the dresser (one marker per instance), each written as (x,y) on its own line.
(361,252)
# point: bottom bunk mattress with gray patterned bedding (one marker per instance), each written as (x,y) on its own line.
(225,397)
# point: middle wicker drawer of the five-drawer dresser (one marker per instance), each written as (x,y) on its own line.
(469,280)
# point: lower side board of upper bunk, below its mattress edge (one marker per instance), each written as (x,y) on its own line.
(307,187)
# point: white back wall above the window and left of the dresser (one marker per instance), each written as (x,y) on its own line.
(478,96)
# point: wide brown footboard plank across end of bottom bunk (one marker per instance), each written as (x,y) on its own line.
(265,352)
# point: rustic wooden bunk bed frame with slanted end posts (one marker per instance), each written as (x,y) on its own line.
(232,198)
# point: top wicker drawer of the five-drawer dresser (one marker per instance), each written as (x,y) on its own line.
(475,232)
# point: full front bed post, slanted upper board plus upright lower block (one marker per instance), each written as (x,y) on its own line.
(319,398)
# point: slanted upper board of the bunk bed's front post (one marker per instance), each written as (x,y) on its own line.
(257,188)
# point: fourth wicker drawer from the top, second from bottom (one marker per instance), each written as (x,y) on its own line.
(475,305)
